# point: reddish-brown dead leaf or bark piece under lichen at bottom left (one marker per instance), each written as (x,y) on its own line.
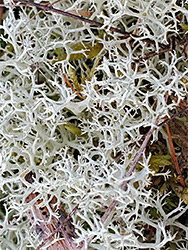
(49,227)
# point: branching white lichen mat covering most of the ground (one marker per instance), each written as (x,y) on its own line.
(37,107)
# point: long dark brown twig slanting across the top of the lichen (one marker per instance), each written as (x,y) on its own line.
(94,23)
